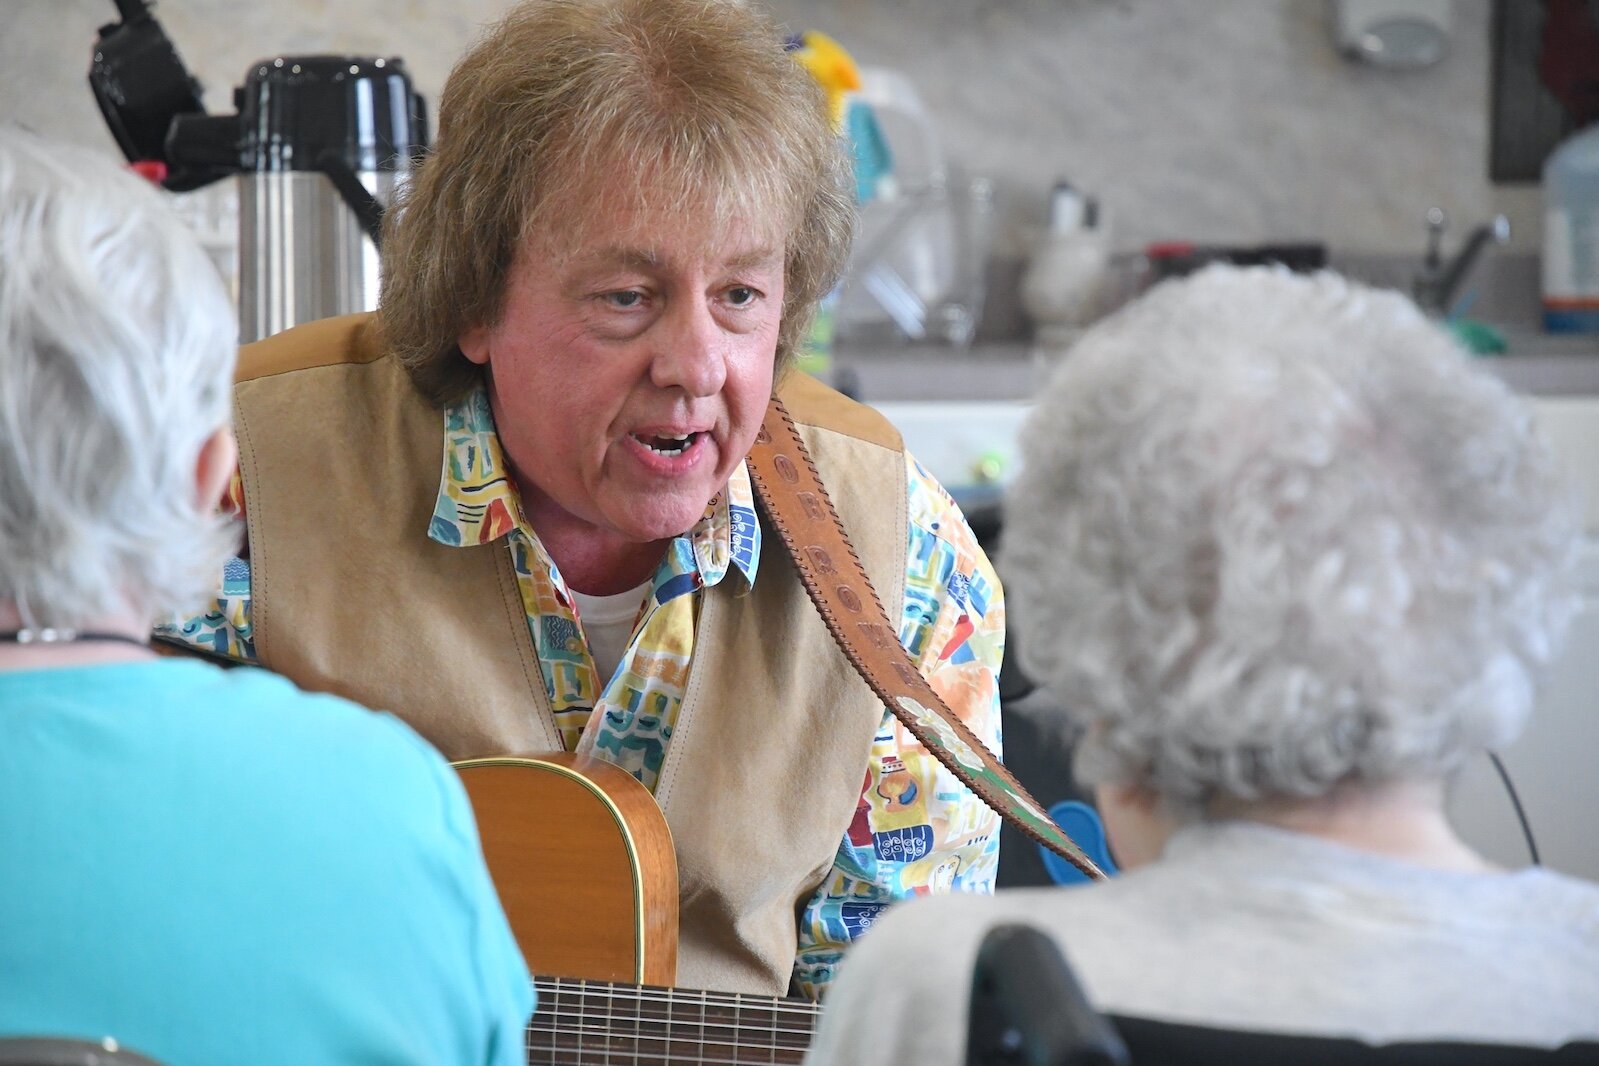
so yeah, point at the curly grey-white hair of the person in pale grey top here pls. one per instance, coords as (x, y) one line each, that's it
(1275, 533)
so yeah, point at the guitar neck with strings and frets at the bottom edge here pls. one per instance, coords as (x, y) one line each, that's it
(597, 1022)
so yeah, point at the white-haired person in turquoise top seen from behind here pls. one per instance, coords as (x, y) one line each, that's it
(207, 865)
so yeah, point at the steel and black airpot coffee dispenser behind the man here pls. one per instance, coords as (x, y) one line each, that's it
(317, 146)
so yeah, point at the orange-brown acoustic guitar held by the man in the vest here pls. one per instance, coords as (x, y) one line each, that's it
(584, 867)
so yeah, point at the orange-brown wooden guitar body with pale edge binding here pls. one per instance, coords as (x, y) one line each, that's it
(583, 862)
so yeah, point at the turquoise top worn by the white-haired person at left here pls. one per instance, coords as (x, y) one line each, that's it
(213, 867)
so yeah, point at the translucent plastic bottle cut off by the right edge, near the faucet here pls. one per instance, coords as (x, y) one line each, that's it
(1571, 234)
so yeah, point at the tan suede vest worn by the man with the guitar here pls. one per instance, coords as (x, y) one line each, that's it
(341, 463)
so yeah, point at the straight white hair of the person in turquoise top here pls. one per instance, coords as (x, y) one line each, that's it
(118, 346)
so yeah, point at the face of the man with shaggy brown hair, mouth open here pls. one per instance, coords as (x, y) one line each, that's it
(631, 370)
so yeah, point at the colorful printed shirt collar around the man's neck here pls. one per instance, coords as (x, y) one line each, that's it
(479, 504)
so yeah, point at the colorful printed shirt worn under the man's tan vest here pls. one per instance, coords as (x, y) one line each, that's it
(917, 830)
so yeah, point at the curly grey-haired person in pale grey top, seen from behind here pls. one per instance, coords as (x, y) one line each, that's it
(1288, 562)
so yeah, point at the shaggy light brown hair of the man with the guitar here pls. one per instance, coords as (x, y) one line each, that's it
(687, 105)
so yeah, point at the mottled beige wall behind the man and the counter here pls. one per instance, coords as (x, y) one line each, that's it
(1222, 121)
